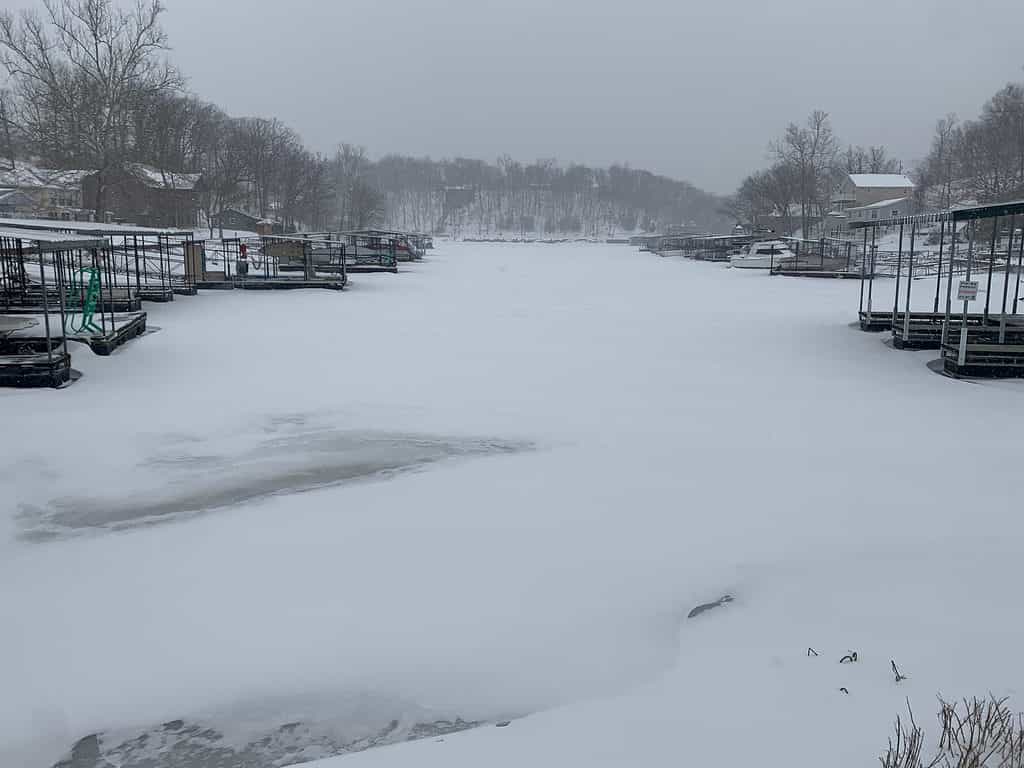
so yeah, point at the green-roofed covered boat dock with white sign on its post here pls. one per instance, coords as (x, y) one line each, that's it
(974, 321)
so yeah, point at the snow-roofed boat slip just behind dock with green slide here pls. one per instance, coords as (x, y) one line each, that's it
(151, 265)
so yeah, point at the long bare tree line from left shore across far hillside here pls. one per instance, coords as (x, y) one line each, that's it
(91, 89)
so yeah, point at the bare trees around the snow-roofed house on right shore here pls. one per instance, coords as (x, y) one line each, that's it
(974, 161)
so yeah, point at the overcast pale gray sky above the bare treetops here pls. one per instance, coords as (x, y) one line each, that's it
(693, 91)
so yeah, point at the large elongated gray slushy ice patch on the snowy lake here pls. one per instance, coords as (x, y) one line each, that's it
(187, 476)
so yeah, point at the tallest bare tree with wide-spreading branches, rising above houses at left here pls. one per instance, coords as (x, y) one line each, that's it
(79, 72)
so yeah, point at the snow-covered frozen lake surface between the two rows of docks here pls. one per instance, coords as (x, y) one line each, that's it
(568, 449)
